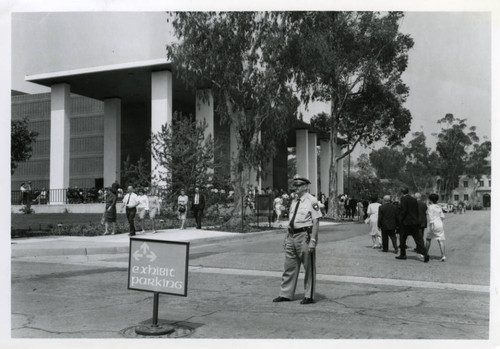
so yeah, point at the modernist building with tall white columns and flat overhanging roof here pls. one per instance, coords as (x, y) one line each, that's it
(94, 118)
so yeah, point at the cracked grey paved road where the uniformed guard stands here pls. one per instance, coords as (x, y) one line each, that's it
(362, 293)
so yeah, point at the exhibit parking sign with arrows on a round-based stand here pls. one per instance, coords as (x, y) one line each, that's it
(158, 266)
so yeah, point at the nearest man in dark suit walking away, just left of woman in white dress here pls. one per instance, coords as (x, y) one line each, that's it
(409, 223)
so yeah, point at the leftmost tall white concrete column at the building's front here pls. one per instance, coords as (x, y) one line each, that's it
(60, 103)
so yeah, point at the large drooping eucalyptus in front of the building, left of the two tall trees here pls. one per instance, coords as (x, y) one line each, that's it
(238, 56)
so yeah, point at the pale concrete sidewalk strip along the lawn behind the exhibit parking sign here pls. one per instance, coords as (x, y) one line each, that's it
(114, 244)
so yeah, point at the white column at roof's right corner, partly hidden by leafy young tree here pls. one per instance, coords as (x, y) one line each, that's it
(161, 114)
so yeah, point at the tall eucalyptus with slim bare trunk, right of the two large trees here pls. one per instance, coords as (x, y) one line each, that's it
(354, 60)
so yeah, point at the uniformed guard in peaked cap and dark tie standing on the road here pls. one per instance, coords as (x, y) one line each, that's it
(300, 243)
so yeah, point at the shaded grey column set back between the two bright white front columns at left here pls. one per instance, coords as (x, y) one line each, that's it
(112, 140)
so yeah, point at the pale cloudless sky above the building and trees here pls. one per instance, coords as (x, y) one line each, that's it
(449, 68)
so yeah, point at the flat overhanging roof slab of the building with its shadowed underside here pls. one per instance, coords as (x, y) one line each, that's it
(131, 81)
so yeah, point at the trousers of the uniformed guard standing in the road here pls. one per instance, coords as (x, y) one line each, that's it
(297, 253)
